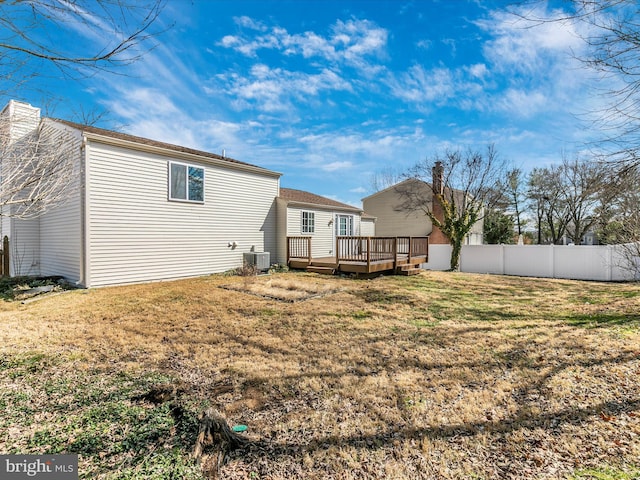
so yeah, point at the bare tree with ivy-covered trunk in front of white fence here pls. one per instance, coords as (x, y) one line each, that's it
(464, 184)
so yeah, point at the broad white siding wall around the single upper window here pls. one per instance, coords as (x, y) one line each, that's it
(135, 234)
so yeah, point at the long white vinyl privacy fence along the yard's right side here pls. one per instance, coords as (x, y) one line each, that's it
(579, 262)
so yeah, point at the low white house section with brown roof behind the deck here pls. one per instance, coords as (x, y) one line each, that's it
(302, 213)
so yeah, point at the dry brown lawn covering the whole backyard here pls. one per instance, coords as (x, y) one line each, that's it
(441, 375)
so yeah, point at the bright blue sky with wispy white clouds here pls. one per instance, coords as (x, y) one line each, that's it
(330, 93)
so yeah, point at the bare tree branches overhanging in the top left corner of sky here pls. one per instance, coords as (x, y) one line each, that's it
(109, 33)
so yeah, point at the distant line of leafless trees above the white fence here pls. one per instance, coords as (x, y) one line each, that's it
(564, 203)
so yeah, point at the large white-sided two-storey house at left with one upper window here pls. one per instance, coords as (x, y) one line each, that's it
(143, 210)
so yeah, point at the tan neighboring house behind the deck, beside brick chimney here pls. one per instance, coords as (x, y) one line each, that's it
(392, 221)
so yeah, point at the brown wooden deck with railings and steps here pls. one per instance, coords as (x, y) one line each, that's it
(361, 255)
